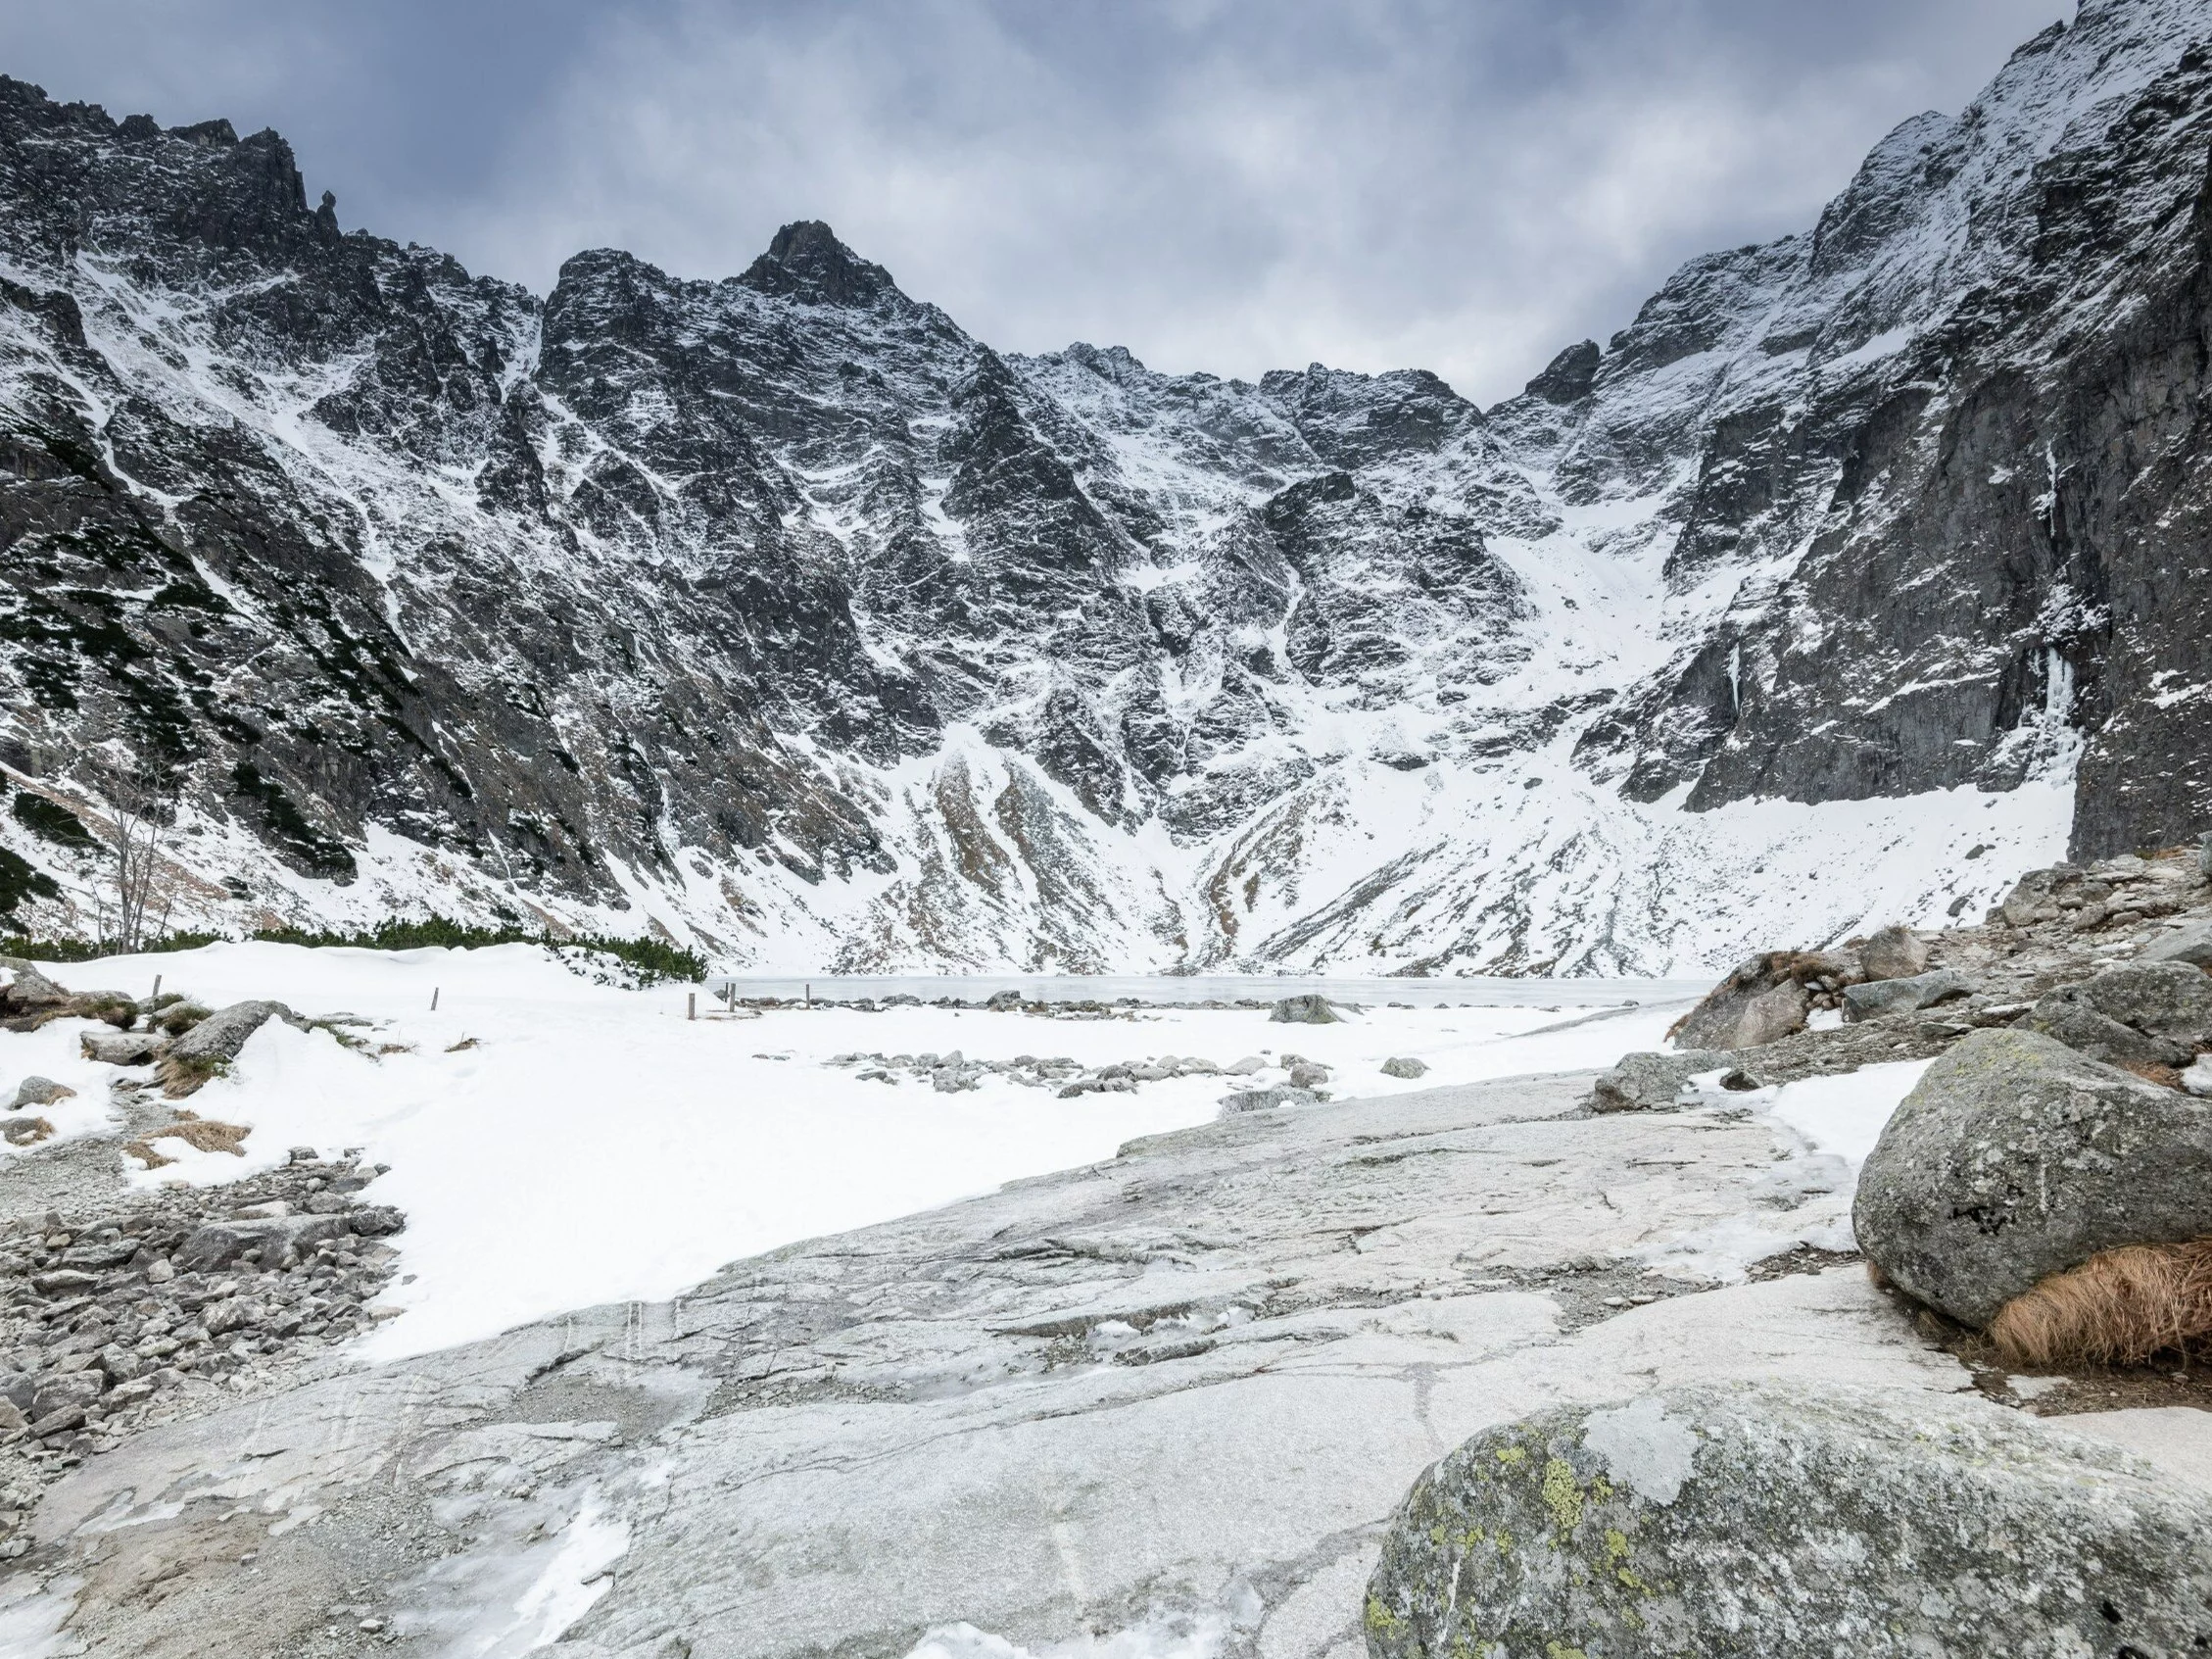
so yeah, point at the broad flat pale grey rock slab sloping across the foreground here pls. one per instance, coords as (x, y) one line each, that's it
(1187, 1384)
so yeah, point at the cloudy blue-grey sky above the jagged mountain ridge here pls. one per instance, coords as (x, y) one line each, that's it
(1218, 185)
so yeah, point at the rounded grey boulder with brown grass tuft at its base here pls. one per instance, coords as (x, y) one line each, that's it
(2018, 1158)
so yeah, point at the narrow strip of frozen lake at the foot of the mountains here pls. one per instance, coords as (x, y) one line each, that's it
(1224, 988)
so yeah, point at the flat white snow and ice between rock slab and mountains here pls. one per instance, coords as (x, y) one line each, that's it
(563, 1145)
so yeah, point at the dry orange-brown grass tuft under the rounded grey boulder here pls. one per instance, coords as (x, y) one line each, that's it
(2116, 1308)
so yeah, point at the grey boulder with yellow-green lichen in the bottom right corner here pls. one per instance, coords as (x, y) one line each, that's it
(1757, 1521)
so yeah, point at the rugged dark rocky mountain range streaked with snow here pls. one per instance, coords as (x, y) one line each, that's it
(1855, 576)
